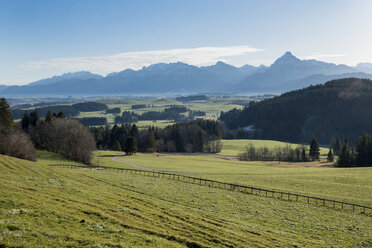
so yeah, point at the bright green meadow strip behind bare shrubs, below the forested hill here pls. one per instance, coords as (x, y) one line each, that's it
(235, 147)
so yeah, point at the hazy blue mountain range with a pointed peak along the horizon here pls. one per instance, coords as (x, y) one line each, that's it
(286, 73)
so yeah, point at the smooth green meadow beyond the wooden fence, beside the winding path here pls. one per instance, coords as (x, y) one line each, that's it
(347, 184)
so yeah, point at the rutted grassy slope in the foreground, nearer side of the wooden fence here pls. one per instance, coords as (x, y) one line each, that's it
(44, 206)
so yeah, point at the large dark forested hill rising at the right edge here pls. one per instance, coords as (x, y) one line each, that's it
(337, 108)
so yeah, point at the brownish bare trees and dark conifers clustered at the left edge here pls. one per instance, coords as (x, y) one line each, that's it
(53, 133)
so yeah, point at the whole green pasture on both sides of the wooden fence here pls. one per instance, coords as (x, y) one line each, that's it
(48, 206)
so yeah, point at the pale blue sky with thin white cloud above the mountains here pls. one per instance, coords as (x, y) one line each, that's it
(42, 38)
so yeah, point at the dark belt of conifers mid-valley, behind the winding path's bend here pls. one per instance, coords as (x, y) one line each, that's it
(195, 136)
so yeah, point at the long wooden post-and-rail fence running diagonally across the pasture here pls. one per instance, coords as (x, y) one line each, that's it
(235, 187)
